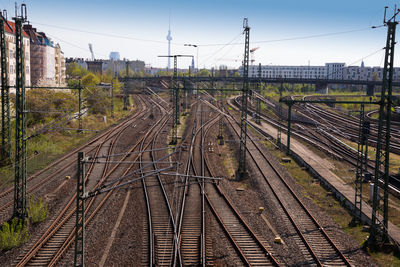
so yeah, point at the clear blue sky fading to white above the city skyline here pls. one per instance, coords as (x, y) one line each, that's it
(287, 32)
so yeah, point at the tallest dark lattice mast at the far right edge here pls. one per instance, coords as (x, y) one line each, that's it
(380, 229)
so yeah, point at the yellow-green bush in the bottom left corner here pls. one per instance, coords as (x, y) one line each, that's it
(14, 234)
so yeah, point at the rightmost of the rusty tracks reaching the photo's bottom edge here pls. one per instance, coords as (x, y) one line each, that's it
(317, 247)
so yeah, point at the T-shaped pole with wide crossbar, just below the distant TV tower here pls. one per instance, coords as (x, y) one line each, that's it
(175, 94)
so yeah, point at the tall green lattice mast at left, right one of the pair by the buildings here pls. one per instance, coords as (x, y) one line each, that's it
(20, 121)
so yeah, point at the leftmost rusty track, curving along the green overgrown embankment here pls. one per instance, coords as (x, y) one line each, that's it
(61, 165)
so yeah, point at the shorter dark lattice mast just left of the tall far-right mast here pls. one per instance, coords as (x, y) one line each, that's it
(362, 164)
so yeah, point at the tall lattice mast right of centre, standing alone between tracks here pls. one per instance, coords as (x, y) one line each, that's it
(242, 172)
